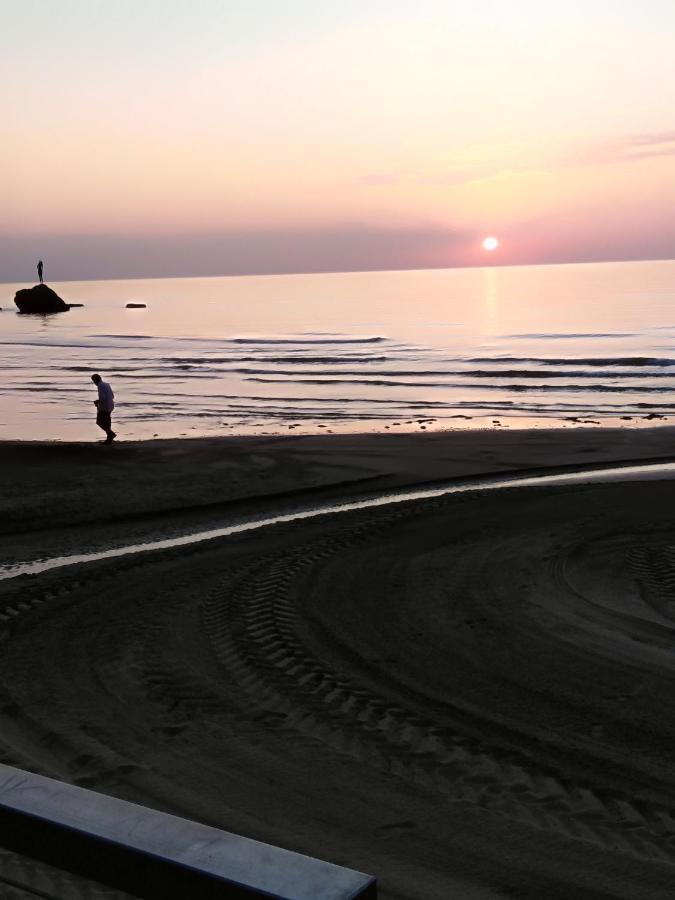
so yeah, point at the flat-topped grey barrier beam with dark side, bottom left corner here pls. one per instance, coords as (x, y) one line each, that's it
(155, 855)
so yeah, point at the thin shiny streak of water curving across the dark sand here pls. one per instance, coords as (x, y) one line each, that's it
(578, 476)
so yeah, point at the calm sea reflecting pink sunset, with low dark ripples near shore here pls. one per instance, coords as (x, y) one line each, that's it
(346, 352)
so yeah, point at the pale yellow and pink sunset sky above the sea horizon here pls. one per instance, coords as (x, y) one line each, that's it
(166, 137)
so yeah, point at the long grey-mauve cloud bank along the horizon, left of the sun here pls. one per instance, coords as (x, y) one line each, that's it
(347, 247)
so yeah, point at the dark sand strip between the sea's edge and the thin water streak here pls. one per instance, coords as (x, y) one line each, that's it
(48, 485)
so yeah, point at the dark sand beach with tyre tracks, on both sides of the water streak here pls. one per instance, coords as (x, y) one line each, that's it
(466, 697)
